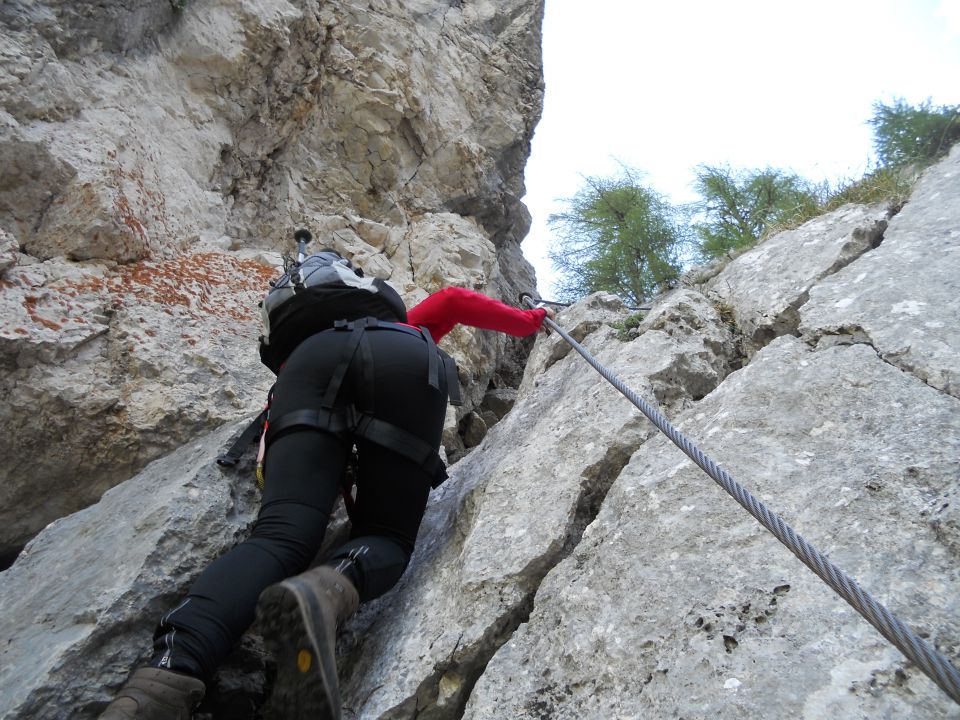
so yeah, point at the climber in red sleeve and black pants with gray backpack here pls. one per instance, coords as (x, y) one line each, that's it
(355, 368)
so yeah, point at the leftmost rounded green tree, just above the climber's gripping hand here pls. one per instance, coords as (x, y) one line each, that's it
(619, 236)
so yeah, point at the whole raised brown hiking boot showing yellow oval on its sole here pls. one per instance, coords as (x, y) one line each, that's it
(299, 619)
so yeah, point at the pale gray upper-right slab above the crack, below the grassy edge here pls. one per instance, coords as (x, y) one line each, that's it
(904, 297)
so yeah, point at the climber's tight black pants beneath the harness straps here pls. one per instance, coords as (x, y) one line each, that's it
(303, 474)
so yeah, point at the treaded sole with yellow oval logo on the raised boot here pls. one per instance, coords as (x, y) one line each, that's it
(296, 635)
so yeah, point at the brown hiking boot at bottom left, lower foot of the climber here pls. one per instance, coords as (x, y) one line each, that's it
(155, 694)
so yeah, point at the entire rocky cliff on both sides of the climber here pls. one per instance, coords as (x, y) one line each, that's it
(576, 564)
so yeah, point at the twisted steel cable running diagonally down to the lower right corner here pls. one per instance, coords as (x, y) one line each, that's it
(933, 663)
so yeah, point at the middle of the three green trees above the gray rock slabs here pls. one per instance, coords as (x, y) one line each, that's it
(737, 207)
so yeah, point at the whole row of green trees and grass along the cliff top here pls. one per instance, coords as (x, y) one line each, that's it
(622, 236)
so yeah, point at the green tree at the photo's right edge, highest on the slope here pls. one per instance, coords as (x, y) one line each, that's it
(904, 134)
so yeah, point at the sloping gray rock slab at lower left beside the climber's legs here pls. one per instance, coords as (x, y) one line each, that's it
(81, 602)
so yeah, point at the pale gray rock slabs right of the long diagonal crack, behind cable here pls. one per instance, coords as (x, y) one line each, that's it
(677, 604)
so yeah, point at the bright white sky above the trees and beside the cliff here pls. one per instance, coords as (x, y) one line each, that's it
(665, 86)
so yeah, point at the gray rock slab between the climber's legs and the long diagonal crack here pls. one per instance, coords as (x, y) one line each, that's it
(513, 508)
